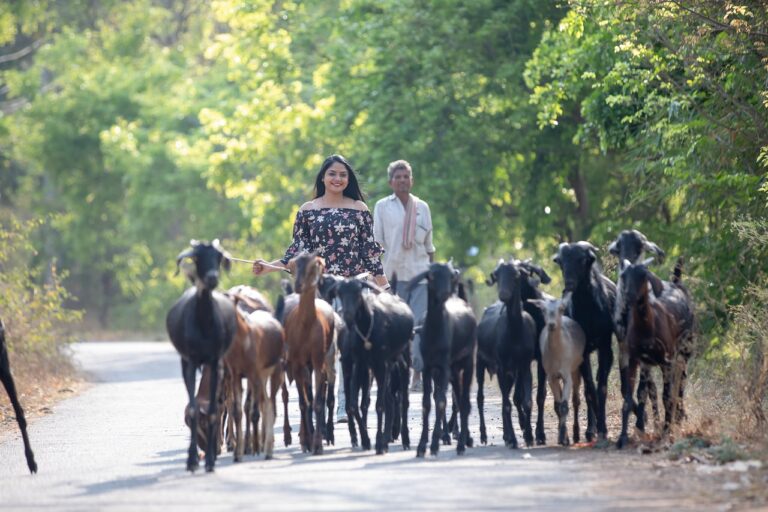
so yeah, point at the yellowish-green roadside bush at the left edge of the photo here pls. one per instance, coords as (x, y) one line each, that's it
(33, 313)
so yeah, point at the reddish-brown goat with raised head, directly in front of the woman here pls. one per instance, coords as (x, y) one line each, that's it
(309, 336)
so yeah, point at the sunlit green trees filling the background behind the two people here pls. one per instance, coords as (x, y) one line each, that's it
(138, 125)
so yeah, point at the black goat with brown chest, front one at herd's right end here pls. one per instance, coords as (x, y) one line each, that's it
(659, 332)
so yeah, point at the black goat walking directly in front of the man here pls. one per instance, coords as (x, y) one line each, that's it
(448, 343)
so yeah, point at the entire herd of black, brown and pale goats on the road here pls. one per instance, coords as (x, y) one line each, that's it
(237, 335)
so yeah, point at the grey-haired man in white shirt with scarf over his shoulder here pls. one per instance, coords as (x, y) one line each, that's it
(402, 224)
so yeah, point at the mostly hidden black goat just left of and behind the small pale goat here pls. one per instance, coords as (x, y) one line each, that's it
(529, 290)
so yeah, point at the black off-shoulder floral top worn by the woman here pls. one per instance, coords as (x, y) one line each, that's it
(343, 236)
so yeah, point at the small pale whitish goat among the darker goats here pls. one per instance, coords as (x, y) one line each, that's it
(562, 349)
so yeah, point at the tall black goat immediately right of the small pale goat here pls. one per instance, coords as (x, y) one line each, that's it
(592, 304)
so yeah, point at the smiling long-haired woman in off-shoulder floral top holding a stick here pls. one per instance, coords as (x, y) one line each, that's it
(337, 224)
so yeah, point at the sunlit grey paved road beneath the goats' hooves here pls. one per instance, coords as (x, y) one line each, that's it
(121, 445)
